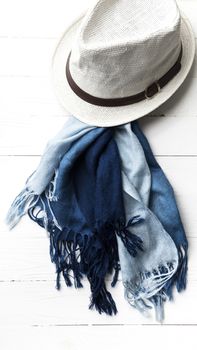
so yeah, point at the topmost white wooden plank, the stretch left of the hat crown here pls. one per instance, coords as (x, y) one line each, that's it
(44, 19)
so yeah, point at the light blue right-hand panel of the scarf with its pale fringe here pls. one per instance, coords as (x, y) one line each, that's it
(145, 275)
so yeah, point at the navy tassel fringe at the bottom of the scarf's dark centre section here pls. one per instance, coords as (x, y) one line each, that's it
(73, 252)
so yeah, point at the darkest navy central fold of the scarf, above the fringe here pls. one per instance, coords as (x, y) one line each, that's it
(101, 197)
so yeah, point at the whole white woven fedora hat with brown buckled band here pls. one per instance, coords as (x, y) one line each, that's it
(122, 59)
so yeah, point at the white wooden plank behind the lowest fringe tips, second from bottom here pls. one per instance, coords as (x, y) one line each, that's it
(39, 303)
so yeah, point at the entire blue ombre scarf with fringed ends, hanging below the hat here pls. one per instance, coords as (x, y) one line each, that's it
(107, 206)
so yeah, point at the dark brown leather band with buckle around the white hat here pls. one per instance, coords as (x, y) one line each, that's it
(148, 93)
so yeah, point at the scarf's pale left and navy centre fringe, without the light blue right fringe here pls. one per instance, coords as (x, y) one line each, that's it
(73, 254)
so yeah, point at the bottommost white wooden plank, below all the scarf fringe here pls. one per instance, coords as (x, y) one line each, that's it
(97, 337)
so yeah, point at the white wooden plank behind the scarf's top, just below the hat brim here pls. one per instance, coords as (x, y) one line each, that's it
(167, 135)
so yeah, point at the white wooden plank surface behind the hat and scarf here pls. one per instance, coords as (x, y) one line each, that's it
(33, 314)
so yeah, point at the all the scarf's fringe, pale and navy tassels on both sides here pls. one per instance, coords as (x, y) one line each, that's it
(76, 255)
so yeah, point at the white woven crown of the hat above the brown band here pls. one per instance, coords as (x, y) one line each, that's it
(122, 46)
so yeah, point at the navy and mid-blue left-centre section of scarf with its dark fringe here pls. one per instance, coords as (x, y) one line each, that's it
(88, 187)
